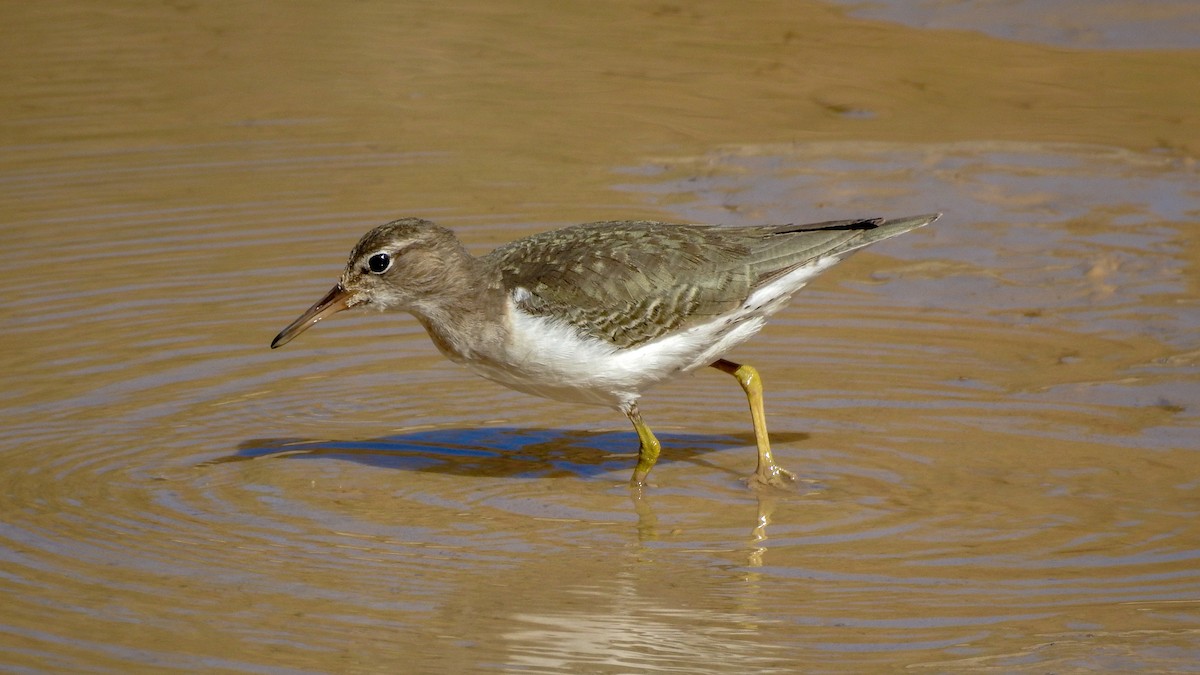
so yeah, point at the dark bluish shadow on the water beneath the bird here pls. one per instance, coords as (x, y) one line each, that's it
(500, 451)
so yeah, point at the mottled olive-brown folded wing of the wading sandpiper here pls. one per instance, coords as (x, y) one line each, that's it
(632, 282)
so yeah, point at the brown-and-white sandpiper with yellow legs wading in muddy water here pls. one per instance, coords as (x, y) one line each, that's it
(599, 313)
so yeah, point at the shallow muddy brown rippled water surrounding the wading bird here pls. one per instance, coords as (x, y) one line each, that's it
(995, 419)
